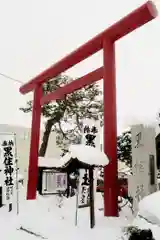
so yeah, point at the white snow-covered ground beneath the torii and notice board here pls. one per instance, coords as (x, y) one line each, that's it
(43, 219)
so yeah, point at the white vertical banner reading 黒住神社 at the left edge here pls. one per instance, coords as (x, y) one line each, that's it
(8, 166)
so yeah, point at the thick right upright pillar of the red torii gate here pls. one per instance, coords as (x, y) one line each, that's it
(110, 130)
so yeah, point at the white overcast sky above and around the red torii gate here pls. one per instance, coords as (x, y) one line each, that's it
(36, 33)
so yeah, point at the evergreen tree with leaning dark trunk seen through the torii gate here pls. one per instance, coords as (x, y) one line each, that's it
(65, 117)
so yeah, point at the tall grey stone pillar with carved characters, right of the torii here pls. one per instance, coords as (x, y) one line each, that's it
(143, 181)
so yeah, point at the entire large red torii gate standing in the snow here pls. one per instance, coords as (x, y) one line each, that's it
(106, 41)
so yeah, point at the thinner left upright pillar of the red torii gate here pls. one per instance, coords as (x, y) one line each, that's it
(34, 147)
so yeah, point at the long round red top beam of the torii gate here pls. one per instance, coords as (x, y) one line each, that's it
(132, 21)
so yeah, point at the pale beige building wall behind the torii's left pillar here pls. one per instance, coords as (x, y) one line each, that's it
(23, 146)
